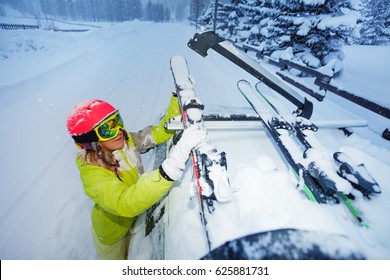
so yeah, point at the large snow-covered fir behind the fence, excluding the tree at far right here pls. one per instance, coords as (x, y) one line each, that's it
(312, 31)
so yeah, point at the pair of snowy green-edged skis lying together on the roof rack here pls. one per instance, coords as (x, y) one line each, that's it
(316, 181)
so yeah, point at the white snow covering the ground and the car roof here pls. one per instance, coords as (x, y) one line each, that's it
(44, 211)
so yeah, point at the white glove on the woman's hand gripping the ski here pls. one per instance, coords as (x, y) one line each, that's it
(174, 164)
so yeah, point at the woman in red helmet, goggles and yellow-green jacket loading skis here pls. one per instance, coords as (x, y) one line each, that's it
(112, 173)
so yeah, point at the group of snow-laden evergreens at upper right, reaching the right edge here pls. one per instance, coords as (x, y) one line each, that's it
(309, 32)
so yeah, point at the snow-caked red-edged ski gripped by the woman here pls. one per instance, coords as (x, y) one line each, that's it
(209, 165)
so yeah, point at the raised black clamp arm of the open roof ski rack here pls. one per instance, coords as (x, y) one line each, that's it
(203, 41)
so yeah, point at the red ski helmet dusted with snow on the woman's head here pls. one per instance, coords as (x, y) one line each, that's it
(85, 117)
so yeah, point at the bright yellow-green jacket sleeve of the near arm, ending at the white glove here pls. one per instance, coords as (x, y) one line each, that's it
(118, 197)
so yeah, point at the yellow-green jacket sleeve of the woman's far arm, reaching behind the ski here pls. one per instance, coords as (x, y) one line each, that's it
(151, 136)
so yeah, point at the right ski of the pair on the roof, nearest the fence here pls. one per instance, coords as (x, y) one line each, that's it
(357, 175)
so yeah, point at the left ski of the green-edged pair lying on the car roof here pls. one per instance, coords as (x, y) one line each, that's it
(317, 183)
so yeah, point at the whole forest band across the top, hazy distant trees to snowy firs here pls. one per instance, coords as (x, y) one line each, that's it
(311, 32)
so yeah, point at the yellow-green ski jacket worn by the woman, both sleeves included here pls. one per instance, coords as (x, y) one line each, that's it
(118, 201)
